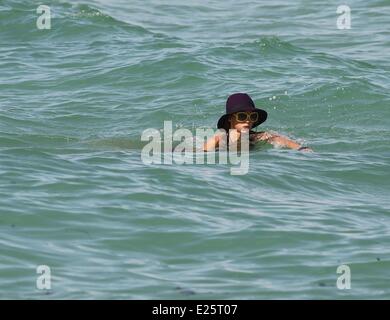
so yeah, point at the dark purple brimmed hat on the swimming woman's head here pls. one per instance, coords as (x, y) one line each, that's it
(240, 102)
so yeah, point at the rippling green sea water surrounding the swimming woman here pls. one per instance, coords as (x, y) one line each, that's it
(76, 197)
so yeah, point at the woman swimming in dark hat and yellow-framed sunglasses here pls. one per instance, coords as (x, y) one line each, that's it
(241, 116)
